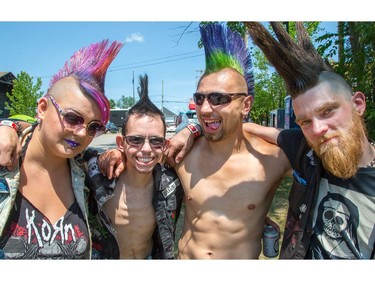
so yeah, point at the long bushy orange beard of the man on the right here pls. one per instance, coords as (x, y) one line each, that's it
(342, 159)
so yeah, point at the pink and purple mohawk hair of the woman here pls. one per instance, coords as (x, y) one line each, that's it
(89, 66)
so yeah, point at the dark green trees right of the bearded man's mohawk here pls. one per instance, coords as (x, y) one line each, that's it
(354, 46)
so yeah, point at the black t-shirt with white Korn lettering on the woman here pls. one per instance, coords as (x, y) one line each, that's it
(30, 235)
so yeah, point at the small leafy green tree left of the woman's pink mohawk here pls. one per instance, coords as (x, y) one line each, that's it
(24, 96)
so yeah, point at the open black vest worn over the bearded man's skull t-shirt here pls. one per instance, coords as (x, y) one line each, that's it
(306, 177)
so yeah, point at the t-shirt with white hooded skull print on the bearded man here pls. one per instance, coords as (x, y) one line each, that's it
(344, 222)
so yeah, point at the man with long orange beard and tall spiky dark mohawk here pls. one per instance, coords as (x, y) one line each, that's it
(332, 201)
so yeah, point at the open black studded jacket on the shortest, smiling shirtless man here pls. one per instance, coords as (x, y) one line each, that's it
(167, 202)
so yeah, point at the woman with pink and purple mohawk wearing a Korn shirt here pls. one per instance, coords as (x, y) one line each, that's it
(43, 214)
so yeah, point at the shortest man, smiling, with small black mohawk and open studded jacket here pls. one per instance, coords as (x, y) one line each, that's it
(139, 210)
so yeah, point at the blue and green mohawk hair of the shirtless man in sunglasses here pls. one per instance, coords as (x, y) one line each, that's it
(226, 48)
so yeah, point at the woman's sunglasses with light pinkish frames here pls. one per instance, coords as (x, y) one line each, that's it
(73, 122)
